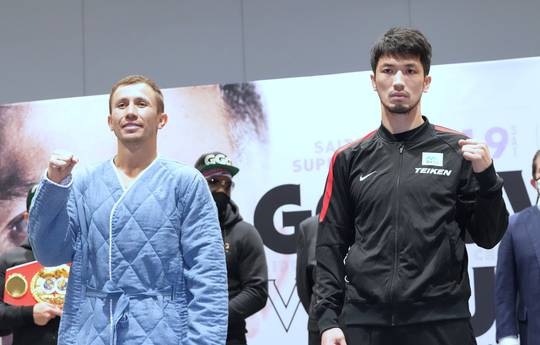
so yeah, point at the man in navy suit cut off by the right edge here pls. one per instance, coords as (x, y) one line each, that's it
(517, 286)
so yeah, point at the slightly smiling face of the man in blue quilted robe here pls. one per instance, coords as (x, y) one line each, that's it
(134, 117)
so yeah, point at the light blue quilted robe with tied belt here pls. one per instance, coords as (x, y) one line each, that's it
(148, 265)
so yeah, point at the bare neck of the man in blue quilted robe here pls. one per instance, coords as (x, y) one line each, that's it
(134, 158)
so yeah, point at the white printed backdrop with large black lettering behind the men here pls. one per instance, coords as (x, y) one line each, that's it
(281, 134)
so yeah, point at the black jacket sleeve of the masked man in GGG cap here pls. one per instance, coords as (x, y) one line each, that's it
(253, 273)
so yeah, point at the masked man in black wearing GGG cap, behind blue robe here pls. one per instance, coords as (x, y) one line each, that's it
(246, 263)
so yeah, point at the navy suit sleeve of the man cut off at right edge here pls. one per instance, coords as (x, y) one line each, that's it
(506, 288)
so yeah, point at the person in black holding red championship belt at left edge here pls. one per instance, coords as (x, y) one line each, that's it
(31, 325)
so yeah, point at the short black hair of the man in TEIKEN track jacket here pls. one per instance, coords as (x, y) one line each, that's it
(399, 41)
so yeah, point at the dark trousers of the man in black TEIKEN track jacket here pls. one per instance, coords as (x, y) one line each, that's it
(447, 332)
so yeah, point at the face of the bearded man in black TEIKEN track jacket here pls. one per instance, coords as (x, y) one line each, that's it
(400, 82)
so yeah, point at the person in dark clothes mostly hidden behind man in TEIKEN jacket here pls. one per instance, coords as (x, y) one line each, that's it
(305, 273)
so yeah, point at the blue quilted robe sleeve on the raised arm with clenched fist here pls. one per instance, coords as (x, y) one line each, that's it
(53, 225)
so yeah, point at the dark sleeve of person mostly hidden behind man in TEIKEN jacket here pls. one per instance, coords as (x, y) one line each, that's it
(302, 278)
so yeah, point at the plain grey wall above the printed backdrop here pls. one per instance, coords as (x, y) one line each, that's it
(63, 48)
